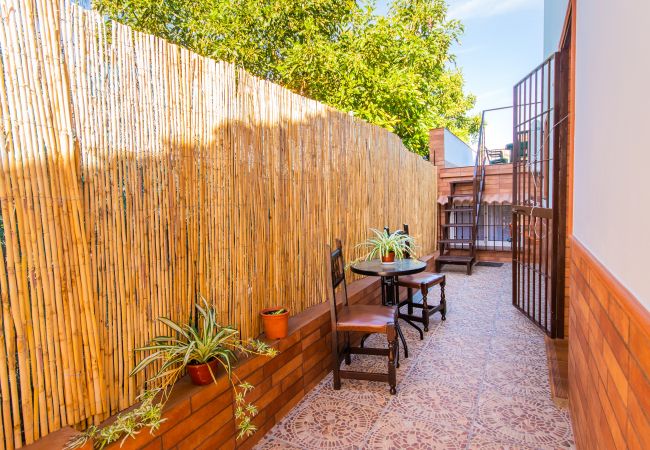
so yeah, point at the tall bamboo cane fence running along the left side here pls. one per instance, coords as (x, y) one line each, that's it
(136, 176)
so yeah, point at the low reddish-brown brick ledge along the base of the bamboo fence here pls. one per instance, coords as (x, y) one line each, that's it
(201, 417)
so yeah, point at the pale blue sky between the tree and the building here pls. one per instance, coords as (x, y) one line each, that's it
(503, 41)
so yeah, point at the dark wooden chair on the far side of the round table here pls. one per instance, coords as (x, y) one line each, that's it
(422, 281)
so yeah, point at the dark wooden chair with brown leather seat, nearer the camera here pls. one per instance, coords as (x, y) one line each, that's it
(358, 318)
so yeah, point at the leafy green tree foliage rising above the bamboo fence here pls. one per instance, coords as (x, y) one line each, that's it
(395, 71)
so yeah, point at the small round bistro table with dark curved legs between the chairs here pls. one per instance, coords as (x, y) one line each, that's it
(389, 288)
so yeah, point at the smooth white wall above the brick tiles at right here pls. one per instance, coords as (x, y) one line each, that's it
(612, 138)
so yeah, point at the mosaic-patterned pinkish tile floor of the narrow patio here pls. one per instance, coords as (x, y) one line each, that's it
(477, 381)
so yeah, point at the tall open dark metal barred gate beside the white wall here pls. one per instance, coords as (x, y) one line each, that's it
(539, 194)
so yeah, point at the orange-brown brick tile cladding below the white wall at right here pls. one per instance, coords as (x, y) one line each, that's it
(609, 359)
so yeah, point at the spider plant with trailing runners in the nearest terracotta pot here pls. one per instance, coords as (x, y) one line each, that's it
(198, 343)
